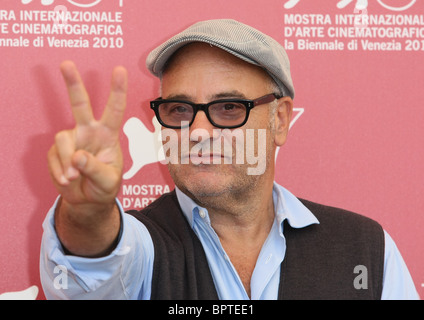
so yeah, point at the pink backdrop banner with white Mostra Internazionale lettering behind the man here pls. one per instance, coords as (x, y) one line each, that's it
(357, 134)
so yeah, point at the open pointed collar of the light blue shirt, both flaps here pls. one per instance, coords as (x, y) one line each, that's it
(286, 206)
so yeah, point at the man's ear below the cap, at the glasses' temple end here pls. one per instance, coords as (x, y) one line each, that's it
(283, 115)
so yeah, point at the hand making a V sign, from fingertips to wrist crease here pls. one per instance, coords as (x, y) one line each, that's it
(86, 162)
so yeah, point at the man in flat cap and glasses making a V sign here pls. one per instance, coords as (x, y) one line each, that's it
(226, 231)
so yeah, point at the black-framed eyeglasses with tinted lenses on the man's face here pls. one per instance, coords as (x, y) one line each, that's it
(223, 113)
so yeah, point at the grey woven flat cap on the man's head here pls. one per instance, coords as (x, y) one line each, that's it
(236, 38)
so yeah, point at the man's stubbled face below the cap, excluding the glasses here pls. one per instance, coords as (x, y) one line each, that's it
(200, 73)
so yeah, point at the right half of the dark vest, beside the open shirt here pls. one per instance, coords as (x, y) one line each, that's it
(321, 259)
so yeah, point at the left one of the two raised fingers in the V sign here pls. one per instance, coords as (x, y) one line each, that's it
(78, 96)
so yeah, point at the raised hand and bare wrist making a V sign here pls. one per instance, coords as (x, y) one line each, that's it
(86, 164)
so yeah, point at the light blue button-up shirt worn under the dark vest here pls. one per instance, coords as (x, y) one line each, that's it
(127, 272)
